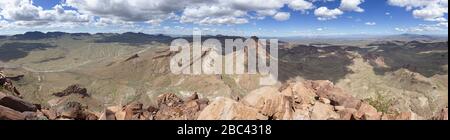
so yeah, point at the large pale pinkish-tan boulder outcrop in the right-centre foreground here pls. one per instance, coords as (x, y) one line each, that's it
(307, 100)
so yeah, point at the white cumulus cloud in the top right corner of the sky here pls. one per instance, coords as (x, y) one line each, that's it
(430, 10)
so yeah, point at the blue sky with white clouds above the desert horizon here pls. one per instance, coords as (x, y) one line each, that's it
(228, 17)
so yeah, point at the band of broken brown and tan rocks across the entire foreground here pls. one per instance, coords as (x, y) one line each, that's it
(307, 100)
